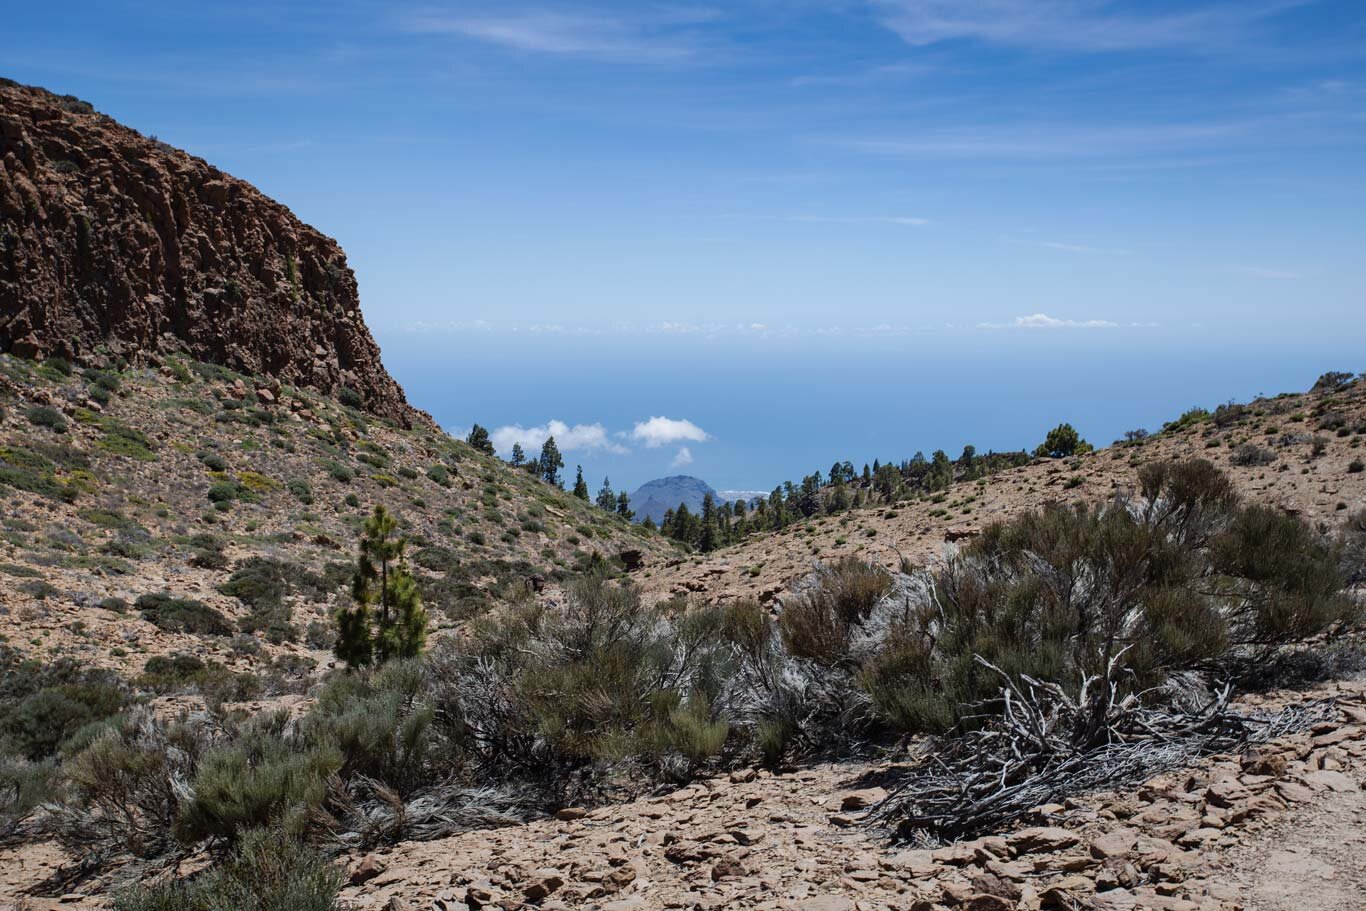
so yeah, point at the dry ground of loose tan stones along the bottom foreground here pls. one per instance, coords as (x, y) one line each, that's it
(1279, 828)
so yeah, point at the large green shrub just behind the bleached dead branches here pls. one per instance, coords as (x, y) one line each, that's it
(1184, 578)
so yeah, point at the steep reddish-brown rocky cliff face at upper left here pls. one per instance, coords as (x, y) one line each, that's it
(114, 244)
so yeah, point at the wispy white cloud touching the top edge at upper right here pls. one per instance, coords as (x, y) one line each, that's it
(1078, 25)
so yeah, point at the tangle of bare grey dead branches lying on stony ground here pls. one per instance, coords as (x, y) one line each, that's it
(1042, 745)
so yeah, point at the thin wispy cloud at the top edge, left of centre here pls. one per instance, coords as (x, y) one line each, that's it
(660, 38)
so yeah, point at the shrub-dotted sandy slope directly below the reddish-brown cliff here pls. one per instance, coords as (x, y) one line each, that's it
(185, 475)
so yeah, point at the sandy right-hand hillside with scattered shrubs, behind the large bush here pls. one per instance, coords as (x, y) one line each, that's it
(1304, 453)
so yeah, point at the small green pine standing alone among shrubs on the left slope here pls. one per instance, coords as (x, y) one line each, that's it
(387, 619)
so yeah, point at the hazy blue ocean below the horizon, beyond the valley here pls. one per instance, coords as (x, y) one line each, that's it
(779, 409)
